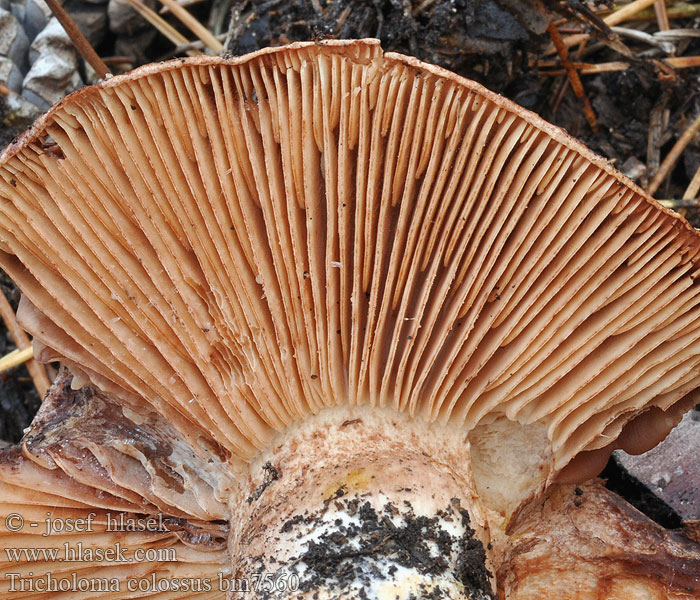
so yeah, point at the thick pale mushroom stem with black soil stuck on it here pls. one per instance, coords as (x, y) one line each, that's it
(361, 503)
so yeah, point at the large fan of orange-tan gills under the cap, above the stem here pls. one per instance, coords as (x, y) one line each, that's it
(237, 243)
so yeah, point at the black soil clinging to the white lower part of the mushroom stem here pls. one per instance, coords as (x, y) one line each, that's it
(351, 554)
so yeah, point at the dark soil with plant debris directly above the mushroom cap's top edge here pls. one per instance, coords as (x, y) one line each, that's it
(481, 39)
